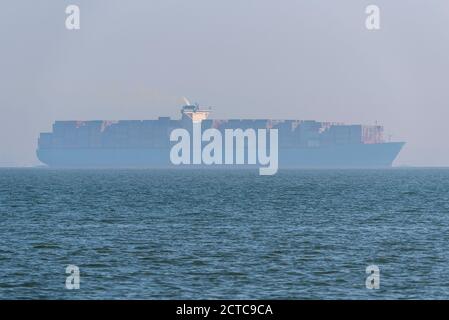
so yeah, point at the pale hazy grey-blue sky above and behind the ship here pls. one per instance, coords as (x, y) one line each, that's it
(309, 59)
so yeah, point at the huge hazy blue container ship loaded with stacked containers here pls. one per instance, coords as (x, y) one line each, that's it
(146, 143)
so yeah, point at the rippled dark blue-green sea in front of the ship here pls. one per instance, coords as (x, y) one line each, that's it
(181, 234)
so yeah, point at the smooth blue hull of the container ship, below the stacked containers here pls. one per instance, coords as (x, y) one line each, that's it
(379, 155)
